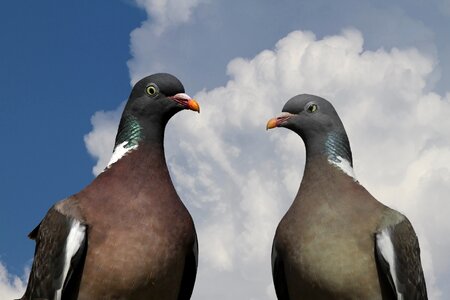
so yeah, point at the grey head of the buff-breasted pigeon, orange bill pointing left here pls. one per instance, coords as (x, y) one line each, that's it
(317, 123)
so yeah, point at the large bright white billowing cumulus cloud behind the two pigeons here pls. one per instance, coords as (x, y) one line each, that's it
(238, 180)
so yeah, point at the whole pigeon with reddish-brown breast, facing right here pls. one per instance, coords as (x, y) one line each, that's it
(127, 235)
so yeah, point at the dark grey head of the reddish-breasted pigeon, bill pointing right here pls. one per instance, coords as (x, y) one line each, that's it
(152, 102)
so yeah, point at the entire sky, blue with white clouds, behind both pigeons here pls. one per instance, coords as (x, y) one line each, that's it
(66, 69)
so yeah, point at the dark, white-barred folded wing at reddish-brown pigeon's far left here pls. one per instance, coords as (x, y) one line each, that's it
(60, 247)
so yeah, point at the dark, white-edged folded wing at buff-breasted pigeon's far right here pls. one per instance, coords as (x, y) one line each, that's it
(398, 258)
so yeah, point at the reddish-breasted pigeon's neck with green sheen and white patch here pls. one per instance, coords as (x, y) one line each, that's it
(132, 134)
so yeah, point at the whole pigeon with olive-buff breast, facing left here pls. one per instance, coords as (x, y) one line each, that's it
(336, 241)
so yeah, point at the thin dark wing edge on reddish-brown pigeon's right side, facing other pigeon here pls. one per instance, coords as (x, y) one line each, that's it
(189, 273)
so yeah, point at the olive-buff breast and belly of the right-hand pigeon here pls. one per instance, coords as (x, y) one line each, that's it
(329, 252)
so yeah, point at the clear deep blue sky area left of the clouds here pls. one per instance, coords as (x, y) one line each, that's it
(50, 89)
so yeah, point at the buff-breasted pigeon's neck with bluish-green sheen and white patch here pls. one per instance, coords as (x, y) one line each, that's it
(335, 147)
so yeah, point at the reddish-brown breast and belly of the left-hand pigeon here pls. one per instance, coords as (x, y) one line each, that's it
(159, 236)
